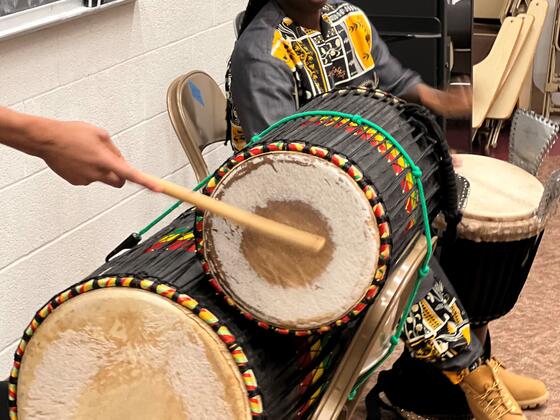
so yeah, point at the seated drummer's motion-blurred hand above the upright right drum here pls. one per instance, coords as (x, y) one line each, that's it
(456, 102)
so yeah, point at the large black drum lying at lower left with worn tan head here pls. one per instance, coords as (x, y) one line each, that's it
(145, 337)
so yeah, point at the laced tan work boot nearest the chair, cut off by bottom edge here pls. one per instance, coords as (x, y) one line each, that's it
(488, 397)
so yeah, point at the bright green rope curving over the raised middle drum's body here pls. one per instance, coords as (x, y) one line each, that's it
(424, 270)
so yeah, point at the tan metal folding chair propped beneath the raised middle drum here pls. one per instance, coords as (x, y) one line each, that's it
(371, 341)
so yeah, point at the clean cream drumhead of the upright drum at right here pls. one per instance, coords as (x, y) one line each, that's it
(499, 191)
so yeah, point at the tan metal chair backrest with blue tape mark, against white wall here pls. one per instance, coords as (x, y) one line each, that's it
(197, 109)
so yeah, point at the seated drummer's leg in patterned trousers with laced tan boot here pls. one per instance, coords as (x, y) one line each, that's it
(437, 331)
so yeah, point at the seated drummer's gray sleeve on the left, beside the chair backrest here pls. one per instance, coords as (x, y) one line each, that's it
(262, 90)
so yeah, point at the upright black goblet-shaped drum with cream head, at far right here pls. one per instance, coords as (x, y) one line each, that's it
(499, 236)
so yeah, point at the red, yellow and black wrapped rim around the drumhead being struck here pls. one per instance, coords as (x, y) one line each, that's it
(379, 211)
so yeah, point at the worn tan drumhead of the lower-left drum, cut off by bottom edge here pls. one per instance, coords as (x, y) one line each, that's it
(120, 353)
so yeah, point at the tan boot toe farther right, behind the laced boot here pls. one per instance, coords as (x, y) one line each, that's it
(528, 392)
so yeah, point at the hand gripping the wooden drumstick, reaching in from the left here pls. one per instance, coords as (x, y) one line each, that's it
(82, 153)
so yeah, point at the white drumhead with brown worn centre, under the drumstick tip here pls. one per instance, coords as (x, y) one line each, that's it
(284, 285)
